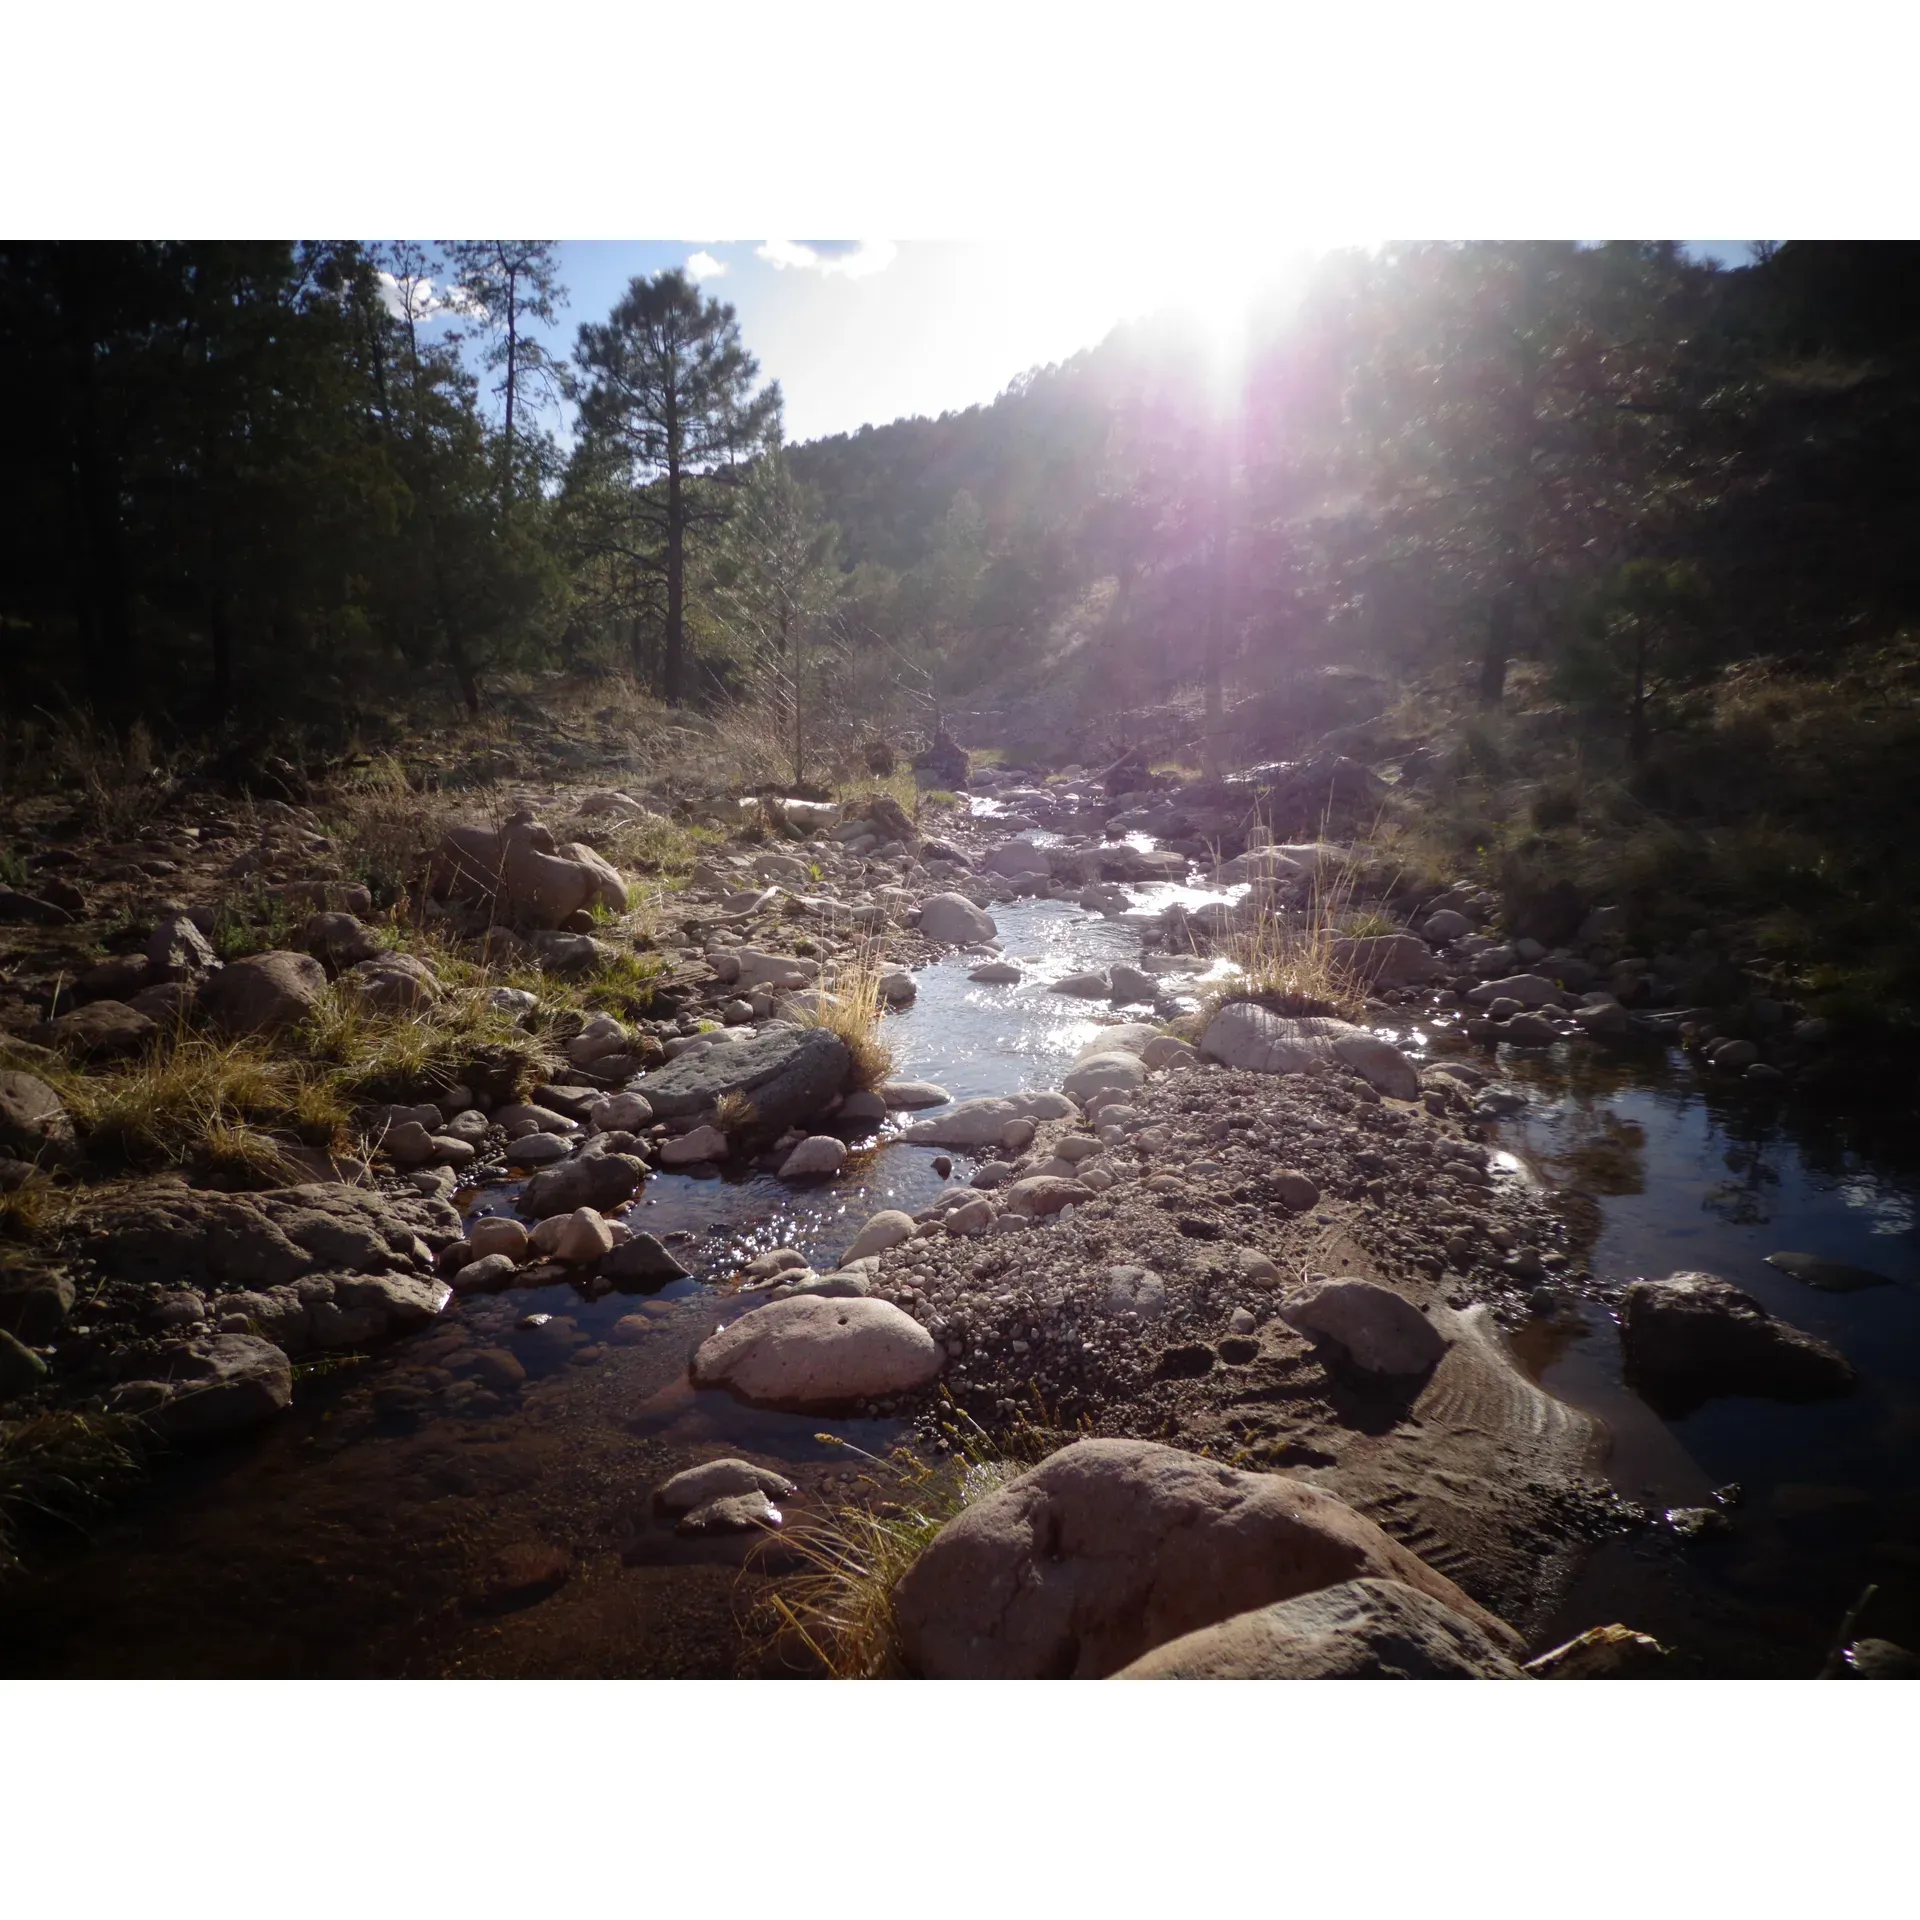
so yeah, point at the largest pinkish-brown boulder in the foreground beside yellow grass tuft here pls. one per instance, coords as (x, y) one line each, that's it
(1111, 1548)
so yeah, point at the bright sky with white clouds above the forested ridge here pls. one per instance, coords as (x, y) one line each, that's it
(878, 329)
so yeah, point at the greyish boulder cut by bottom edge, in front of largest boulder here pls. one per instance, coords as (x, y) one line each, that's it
(1355, 1631)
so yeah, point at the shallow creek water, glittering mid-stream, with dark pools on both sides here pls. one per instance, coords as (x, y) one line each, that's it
(391, 1525)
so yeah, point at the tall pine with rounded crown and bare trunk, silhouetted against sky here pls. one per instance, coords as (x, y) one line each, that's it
(667, 391)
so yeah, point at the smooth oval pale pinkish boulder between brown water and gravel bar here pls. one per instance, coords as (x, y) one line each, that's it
(815, 1353)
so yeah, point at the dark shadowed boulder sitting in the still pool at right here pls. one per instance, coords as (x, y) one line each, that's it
(1694, 1337)
